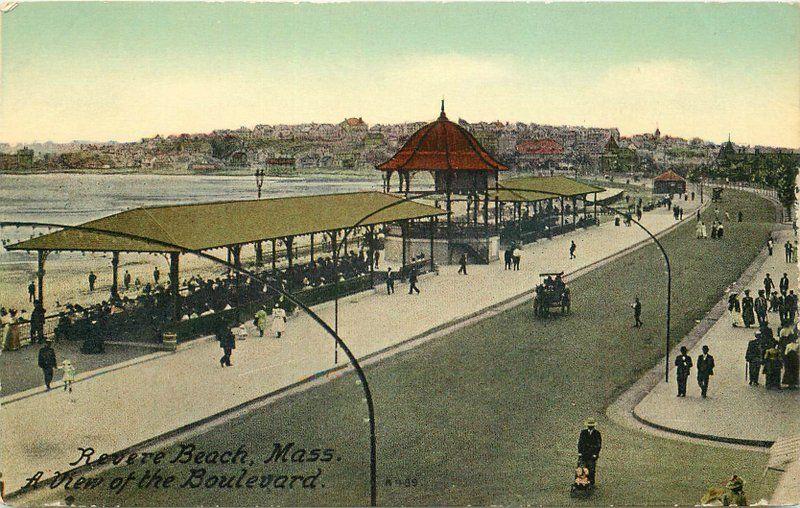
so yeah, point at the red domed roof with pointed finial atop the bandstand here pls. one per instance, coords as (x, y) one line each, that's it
(442, 146)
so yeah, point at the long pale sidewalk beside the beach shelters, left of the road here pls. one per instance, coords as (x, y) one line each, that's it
(127, 406)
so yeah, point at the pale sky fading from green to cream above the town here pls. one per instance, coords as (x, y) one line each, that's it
(122, 71)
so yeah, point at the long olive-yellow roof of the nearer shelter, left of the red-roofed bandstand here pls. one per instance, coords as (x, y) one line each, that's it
(220, 224)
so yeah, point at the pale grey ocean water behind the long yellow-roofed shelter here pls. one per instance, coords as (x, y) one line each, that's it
(75, 198)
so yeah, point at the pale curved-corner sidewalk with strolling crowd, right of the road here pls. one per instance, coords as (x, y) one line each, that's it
(733, 411)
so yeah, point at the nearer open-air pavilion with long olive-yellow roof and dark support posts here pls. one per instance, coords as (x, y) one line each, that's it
(180, 229)
